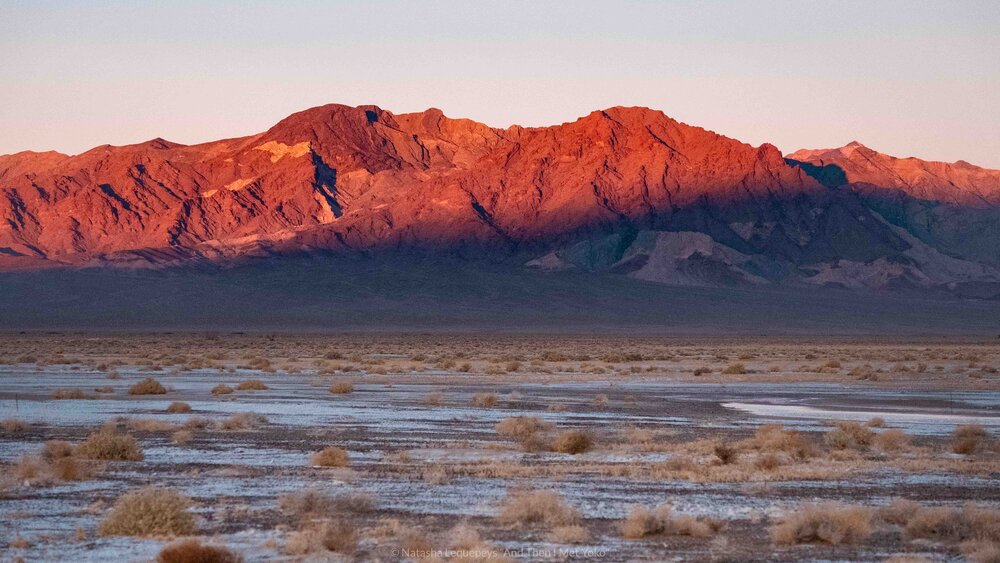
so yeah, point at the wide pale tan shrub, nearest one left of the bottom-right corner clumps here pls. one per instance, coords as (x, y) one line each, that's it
(830, 523)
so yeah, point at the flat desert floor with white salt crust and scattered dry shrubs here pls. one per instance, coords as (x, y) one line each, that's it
(228, 447)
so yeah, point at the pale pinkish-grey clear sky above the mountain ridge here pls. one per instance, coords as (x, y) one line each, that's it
(909, 78)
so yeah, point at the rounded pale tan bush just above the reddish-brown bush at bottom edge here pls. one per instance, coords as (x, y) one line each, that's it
(149, 512)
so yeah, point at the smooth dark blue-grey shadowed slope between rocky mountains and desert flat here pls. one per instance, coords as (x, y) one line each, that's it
(406, 293)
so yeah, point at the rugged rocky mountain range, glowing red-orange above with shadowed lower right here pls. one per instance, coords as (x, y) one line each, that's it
(625, 190)
